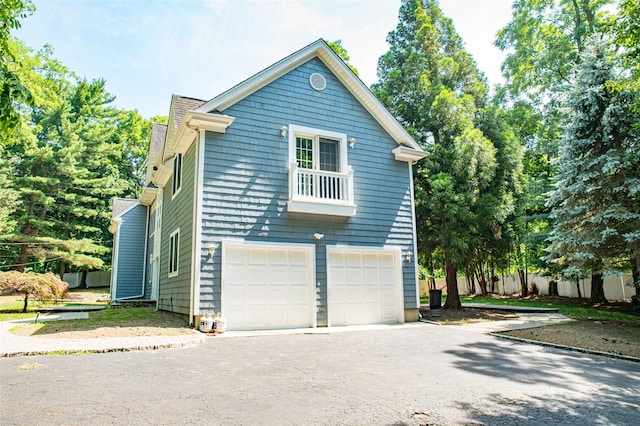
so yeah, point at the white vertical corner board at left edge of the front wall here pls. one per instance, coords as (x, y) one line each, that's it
(198, 193)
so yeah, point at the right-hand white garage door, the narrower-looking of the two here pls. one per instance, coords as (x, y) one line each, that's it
(364, 286)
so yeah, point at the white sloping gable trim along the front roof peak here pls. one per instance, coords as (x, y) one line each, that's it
(321, 50)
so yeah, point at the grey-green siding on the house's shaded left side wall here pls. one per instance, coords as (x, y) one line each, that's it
(177, 213)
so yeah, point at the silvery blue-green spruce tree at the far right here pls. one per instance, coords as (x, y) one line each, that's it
(595, 203)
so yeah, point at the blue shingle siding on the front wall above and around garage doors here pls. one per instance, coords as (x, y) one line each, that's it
(246, 180)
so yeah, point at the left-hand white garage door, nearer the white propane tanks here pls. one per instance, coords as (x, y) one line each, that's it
(268, 286)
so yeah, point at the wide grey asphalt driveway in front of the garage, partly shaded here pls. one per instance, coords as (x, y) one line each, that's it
(415, 375)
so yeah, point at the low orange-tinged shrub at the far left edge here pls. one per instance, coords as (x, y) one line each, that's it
(42, 287)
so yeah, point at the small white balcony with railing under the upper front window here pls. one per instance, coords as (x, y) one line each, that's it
(321, 192)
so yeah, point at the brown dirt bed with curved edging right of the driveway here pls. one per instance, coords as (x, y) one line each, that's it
(613, 336)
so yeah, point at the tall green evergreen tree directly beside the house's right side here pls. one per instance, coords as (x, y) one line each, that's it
(432, 85)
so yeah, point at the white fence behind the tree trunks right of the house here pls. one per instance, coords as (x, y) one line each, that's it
(616, 287)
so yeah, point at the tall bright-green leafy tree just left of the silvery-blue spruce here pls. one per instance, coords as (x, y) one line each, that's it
(543, 42)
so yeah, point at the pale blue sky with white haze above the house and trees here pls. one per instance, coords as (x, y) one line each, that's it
(148, 50)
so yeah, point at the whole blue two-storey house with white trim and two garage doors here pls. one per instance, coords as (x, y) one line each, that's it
(284, 202)
